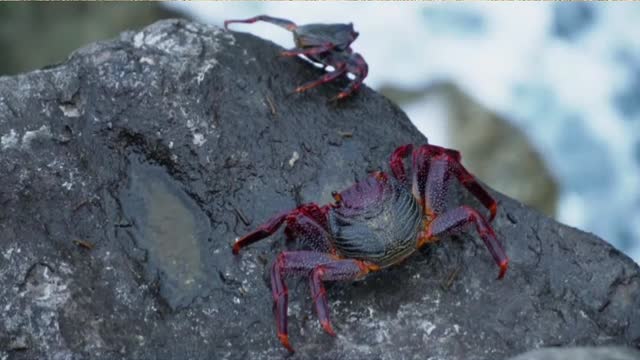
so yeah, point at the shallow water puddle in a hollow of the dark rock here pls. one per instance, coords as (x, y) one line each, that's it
(173, 231)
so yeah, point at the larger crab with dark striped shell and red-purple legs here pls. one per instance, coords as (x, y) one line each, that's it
(373, 224)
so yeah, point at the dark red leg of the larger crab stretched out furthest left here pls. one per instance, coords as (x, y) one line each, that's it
(312, 212)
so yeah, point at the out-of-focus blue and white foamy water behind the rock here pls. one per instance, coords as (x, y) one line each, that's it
(568, 74)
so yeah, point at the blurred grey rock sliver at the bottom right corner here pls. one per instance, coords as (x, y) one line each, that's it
(581, 353)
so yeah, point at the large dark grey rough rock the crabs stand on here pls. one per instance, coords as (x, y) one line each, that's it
(127, 172)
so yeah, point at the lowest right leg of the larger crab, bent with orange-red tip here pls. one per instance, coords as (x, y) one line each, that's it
(464, 215)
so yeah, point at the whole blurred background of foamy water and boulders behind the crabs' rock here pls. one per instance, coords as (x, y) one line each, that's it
(543, 99)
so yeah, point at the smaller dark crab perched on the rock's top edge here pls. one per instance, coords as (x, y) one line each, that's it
(326, 44)
